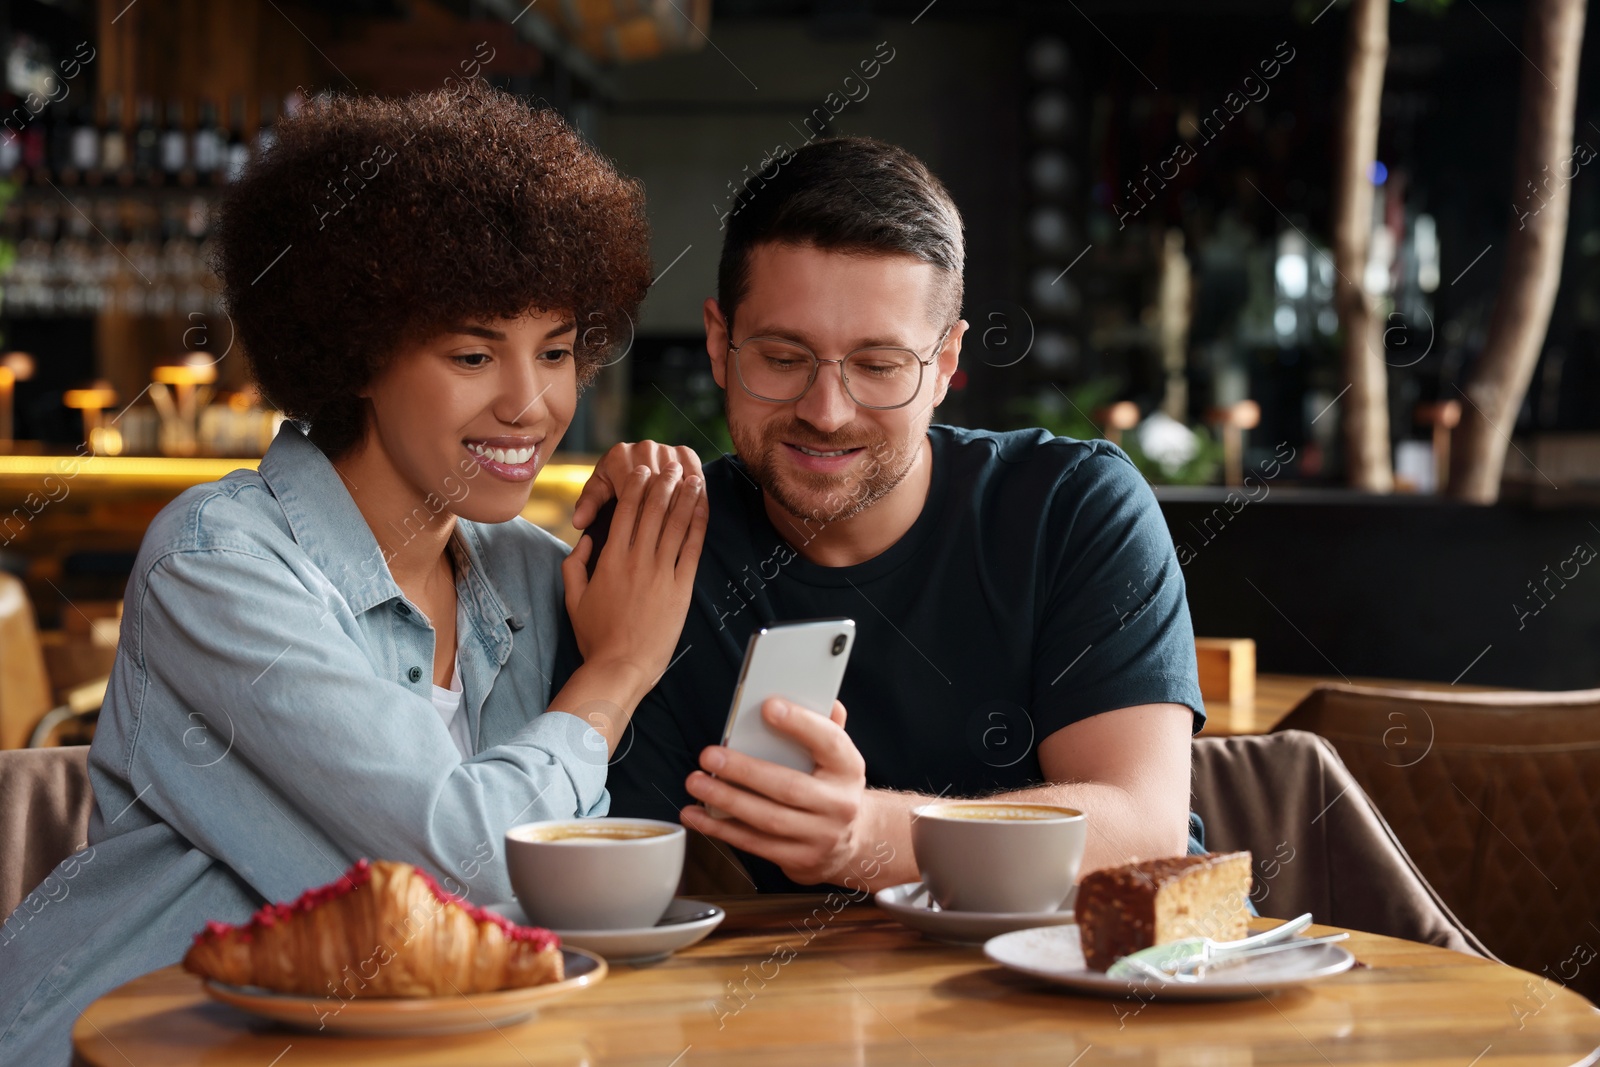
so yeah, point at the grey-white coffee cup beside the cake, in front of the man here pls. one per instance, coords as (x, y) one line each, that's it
(998, 857)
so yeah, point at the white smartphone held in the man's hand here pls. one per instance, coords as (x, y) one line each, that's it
(802, 663)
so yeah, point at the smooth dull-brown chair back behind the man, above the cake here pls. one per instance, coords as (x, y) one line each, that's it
(1316, 839)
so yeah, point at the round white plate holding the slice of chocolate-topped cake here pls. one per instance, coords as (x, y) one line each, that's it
(1057, 956)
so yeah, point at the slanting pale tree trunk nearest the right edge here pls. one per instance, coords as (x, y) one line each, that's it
(1543, 170)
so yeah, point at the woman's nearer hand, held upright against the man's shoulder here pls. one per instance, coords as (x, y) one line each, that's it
(628, 618)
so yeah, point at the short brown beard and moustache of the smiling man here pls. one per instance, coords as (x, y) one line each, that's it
(822, 497)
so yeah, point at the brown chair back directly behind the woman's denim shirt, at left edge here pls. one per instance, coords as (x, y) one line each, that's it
(46, 804)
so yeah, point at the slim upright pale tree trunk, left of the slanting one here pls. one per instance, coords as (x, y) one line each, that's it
(1367, 402)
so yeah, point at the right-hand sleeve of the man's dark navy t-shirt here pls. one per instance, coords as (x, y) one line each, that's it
(1114, 629)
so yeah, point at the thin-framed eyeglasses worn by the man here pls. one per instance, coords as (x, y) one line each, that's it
(782, 372)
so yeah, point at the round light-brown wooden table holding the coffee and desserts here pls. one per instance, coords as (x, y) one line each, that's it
(866, 991)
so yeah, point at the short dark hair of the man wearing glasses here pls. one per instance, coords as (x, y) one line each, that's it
(852, 196)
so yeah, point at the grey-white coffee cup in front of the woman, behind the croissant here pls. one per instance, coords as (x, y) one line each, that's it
(596, 874)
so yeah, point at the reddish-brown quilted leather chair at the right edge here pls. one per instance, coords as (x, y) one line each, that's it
(1497, 797)
